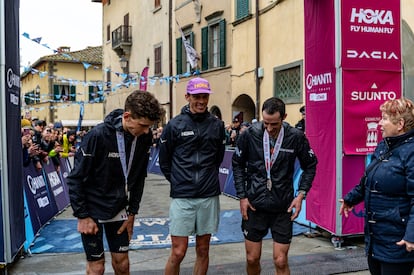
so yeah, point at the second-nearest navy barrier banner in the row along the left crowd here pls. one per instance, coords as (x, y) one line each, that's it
(61, 198)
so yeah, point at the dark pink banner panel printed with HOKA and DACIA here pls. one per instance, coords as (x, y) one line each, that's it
(371, 35)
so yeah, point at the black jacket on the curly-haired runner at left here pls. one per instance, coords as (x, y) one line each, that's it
(97, 182)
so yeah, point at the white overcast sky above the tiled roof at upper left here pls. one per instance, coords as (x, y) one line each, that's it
(75, 23)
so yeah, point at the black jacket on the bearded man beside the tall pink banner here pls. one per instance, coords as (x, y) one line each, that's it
(250, 173)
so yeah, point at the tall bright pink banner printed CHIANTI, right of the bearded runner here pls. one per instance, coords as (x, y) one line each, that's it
(321, 109)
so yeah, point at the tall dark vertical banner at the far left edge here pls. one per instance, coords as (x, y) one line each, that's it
(12, 206)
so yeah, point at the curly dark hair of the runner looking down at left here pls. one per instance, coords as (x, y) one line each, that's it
(142, 104)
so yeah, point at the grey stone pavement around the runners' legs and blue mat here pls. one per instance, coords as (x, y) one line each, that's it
(223, 257)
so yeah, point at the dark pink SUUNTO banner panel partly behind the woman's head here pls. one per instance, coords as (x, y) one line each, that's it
(363, 93)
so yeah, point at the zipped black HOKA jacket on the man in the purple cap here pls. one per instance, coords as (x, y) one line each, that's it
(191, 150)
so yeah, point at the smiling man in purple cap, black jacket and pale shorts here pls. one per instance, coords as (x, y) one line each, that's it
(192, 148)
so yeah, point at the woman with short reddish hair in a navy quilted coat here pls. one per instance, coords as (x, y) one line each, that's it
(388, 193)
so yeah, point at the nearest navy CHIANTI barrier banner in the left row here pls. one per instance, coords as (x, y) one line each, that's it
(39, 200)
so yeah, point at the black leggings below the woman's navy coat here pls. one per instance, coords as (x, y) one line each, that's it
(381, 268)
